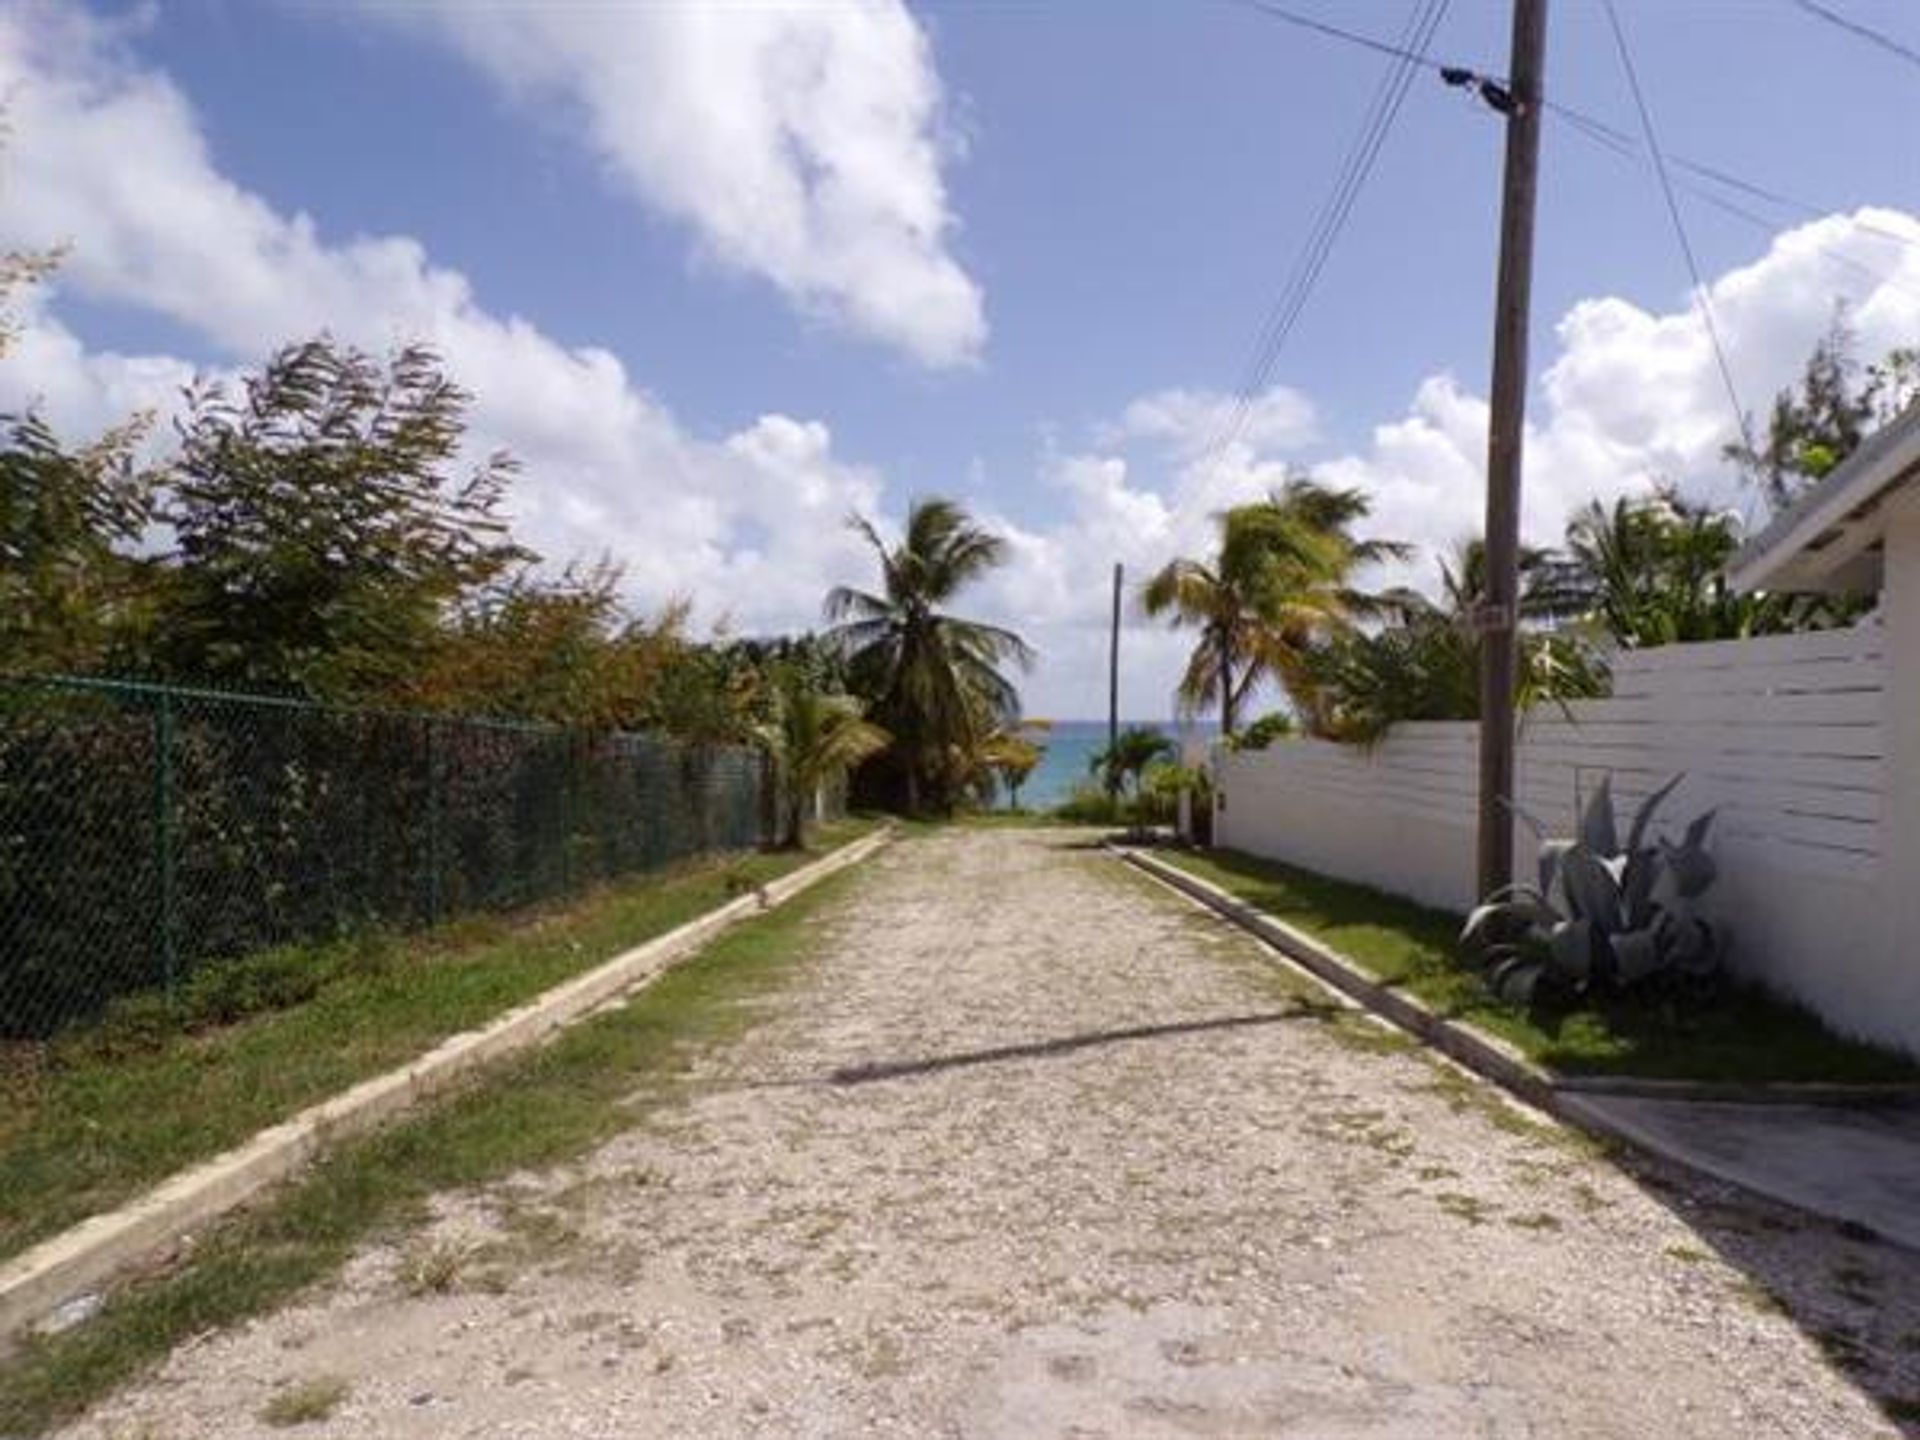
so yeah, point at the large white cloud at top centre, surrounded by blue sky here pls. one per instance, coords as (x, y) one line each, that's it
(802, 143)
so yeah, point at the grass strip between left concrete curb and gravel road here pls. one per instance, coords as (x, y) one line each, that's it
(529, 1113)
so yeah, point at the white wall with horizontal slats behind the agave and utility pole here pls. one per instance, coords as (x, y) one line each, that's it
(1787, 738)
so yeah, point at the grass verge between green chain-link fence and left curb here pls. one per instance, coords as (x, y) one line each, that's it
(114, 1111)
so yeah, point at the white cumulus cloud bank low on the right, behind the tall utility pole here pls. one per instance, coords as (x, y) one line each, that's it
(1631, 398)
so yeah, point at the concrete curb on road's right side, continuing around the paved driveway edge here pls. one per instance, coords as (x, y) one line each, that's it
(1579, 1105)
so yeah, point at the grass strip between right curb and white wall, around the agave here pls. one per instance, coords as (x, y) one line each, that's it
(1744, 1038)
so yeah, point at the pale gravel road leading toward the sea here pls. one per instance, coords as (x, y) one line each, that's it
(1030, 1147)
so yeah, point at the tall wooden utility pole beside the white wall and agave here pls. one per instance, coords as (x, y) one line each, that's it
(1499, 619)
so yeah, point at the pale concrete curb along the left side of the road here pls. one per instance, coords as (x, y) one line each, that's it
(82, 1259)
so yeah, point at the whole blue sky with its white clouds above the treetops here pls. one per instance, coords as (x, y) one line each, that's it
(721, 276)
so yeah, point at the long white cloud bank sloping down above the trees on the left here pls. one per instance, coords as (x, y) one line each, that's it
(110, 158)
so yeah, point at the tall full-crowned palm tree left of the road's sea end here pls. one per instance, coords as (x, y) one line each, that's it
(934, 679)
